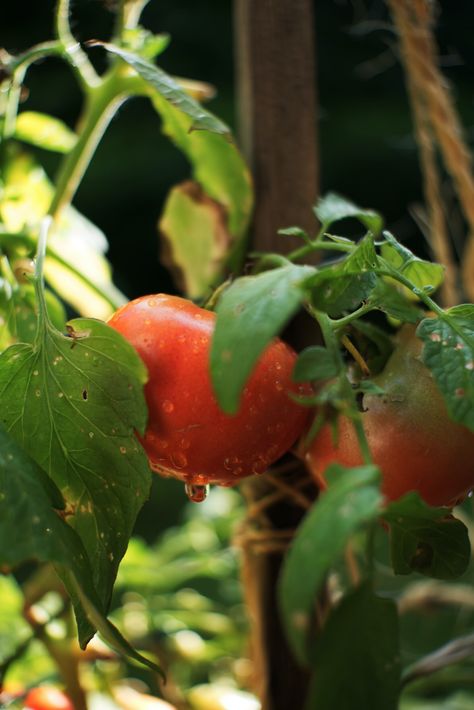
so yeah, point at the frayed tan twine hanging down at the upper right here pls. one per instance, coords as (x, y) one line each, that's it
(436, 122)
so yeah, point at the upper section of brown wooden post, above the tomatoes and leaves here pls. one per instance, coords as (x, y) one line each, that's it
(277, 113)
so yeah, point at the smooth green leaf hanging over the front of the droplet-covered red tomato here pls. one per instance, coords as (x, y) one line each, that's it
(249, 314)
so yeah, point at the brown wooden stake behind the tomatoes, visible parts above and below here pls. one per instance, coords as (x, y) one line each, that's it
(276, 95)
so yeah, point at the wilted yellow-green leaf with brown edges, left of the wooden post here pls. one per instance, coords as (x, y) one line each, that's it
(194, 228)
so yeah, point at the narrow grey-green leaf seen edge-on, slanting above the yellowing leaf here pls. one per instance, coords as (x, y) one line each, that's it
(169, 89)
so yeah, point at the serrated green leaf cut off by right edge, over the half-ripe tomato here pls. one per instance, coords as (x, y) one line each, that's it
(449, 353)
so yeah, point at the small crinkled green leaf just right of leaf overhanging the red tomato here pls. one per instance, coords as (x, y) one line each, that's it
(345, 285)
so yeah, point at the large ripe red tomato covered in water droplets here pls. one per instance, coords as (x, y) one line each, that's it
(188, 436)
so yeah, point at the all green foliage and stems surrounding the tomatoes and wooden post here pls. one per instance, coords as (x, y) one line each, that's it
(73, 475)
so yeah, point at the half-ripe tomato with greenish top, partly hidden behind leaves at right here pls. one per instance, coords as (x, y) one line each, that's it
(410, 435)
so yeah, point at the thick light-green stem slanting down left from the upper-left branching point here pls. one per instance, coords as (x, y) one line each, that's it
(102, 103)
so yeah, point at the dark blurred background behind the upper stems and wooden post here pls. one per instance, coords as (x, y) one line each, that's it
(367, 149)
